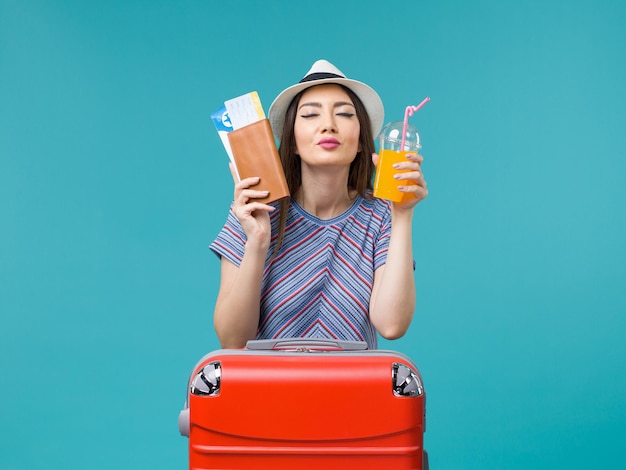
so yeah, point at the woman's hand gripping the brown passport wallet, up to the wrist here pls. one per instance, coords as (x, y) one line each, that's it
(253, 216)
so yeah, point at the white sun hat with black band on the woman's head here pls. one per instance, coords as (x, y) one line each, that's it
(323, 72)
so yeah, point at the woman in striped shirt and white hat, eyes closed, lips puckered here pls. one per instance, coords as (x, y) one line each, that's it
(331, 261)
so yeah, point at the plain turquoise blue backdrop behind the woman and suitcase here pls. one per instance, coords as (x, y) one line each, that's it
(113, 182)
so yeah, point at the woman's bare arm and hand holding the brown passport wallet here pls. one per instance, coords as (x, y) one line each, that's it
(236, 315)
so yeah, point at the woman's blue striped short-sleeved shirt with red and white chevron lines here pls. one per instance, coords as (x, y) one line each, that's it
(319, 284)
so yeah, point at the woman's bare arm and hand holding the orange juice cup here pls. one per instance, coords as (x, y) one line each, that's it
(393, 294)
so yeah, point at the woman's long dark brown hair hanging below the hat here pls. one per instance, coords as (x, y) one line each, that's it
(361, 169)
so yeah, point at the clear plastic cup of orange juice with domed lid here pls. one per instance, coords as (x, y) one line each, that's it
(390, 151)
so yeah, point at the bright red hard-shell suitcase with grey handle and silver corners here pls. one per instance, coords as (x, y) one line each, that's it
(305, 404)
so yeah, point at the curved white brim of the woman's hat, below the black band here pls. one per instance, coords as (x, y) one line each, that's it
(370, 99)
